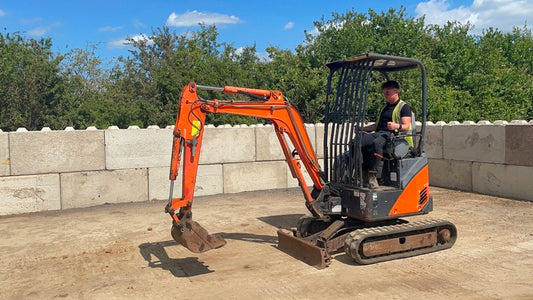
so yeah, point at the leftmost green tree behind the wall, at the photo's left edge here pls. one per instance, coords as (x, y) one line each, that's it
(30, 81)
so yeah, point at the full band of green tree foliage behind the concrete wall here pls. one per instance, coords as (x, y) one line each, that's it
(470, 77)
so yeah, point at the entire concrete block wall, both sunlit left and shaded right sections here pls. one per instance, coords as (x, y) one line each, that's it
(52, 170)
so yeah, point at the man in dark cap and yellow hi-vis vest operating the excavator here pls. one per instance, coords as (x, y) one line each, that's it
(394, 117)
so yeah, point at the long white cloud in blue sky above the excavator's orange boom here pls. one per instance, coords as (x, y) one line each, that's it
(193, 18)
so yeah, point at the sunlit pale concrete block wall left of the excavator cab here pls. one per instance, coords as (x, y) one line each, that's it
(52, 170)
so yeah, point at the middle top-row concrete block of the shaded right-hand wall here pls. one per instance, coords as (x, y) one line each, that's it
(482, 143)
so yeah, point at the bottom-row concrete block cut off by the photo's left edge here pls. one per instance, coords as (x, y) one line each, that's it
(33, 193)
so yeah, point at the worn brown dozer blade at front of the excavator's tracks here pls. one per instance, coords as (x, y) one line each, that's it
(303, 250)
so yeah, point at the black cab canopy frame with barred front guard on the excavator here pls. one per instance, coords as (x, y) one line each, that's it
(346, 111)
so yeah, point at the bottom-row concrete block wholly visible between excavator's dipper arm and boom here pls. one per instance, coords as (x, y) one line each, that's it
(243, 177)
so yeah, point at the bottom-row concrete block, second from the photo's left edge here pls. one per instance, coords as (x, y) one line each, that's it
(86, 189)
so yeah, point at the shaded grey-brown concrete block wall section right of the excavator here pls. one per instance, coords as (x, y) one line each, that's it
(486, 158)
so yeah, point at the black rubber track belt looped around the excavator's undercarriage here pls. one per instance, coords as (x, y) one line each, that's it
(353, 241)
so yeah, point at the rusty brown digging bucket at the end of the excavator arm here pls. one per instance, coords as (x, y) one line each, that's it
(194, 237)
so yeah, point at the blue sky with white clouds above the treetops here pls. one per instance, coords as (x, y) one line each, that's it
(74, 24)
